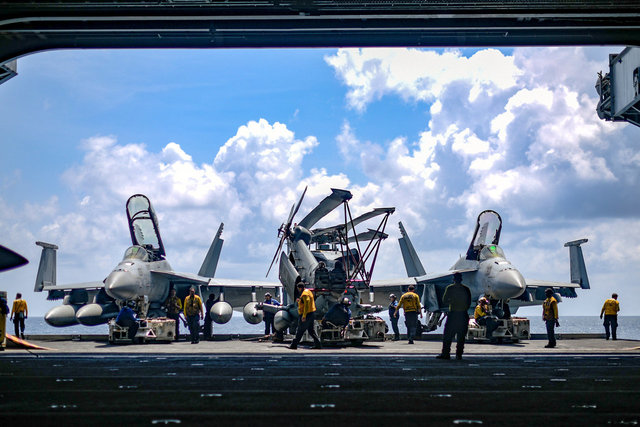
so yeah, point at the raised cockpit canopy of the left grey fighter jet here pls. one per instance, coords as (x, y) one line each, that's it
(143, 226)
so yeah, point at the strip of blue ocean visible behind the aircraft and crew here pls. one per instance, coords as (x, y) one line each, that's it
(628, 326)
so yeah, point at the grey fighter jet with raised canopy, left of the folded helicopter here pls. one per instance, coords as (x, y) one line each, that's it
(145, 274)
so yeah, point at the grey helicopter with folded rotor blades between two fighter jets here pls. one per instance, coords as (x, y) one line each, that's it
(333, 262)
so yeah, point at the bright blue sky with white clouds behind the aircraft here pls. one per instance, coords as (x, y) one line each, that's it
(235, 136)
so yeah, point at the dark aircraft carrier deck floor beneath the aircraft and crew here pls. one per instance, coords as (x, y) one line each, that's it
(242, 381)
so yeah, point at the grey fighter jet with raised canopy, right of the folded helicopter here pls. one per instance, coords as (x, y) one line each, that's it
(485, 270)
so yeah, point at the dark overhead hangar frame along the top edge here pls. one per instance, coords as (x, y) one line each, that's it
(30, 26)
